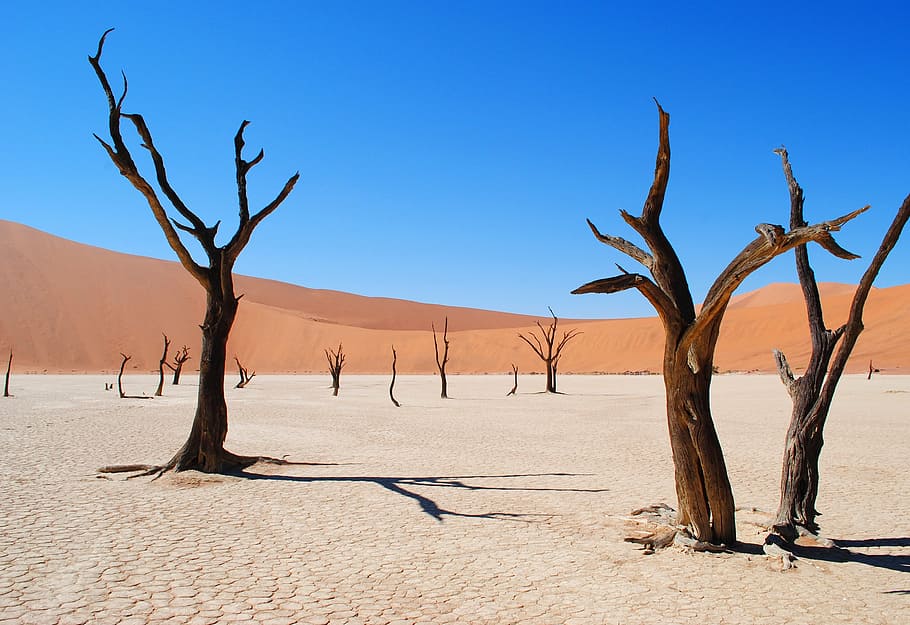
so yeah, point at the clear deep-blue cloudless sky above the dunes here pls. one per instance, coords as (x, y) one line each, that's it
(450, 151)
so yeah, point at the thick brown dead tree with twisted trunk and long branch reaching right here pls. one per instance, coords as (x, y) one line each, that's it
(706, 504)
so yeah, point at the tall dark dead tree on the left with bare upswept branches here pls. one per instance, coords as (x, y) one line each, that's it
(204, 448)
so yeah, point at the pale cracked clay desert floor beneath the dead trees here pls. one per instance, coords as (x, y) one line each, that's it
(479, 509)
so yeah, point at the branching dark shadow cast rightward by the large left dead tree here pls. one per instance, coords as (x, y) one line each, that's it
(404, 486)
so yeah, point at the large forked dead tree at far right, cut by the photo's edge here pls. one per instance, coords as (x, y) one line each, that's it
(813, 392)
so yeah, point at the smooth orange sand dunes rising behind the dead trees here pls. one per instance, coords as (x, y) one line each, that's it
(72, 307)
